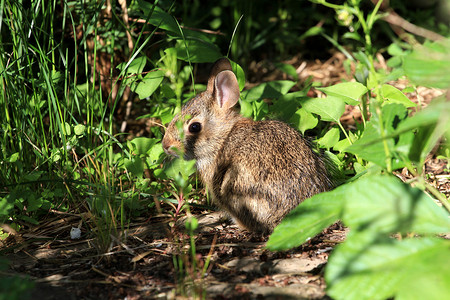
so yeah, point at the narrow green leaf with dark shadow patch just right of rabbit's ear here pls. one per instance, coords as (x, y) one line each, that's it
(272, 89)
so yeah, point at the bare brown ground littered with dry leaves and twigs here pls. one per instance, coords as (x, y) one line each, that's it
(153, 261)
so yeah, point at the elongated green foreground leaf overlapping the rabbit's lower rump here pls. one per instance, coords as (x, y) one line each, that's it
(307, 220)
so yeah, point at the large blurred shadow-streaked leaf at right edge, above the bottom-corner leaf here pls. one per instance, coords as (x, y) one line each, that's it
(385, 204)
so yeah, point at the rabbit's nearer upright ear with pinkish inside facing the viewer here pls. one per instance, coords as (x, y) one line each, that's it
(226, 89)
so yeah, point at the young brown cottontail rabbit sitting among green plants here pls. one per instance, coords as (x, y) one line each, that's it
(255, 171)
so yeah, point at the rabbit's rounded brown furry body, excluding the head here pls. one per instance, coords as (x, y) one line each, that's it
(264, 170)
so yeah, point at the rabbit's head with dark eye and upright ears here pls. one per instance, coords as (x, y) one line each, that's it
(199, 129)
